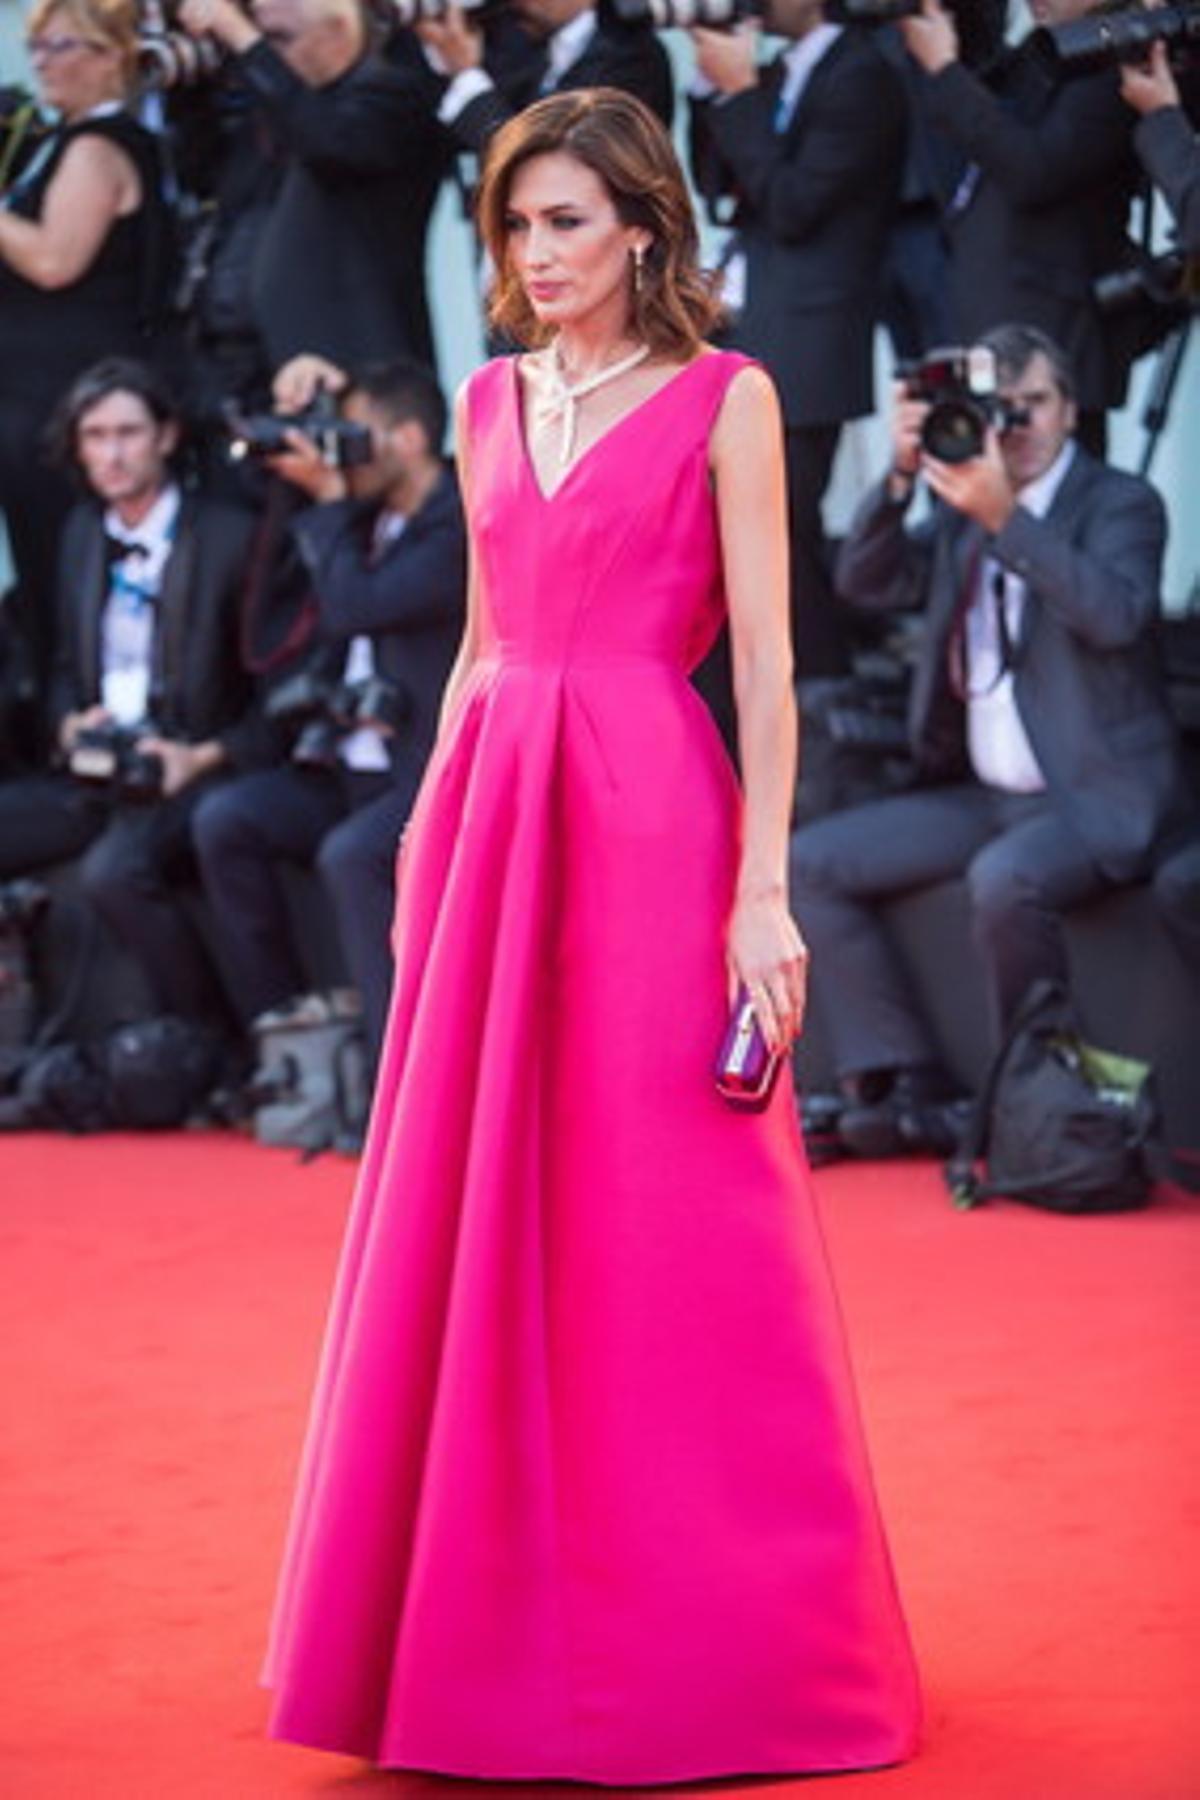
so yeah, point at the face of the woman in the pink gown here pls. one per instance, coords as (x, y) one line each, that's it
(566, 244)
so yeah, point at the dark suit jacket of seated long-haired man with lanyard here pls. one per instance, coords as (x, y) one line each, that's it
(201, 687)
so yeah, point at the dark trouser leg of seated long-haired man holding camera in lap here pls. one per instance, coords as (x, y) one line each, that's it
(134, 876)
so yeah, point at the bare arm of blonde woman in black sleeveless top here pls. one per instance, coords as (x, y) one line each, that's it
(93, 186)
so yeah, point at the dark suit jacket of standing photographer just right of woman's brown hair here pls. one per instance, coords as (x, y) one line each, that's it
(812, 208)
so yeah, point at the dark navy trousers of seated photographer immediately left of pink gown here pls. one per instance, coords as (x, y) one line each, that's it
(350, 827)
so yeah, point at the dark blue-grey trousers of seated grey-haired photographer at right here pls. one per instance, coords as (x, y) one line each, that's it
(1023, 865)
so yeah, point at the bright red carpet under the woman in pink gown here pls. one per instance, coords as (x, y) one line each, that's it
(1030, 1392)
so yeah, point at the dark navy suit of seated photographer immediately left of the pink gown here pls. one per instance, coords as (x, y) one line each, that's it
(409, 602)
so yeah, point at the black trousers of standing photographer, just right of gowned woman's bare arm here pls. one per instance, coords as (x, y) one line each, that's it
(818, 634)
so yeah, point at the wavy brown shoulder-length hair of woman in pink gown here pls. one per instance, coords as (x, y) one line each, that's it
(674, 307)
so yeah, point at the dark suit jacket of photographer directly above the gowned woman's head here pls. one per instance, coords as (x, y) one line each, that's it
(618, 57)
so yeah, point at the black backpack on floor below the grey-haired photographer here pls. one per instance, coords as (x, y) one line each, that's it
(1059, 1122)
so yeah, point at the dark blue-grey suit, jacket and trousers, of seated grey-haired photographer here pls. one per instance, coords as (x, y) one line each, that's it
(1089, 692)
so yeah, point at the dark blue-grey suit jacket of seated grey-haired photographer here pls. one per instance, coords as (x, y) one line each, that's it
(1088, 676)
